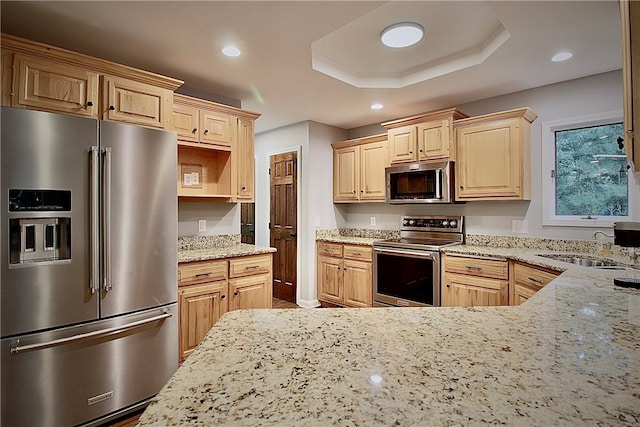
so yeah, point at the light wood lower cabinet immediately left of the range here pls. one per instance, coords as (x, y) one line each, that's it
(345, 274)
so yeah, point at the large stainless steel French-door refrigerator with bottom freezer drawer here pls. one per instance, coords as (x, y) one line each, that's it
(88, 264)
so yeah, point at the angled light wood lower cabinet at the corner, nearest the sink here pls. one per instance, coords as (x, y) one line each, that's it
(526, 279)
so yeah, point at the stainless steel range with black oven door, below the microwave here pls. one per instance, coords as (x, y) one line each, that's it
(406, 271)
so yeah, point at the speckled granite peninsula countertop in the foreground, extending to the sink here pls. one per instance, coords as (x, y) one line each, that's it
(570, 355)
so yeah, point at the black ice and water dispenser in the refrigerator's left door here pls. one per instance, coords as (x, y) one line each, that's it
(39, 226)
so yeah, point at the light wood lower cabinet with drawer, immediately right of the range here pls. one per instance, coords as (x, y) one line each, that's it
(474, 281)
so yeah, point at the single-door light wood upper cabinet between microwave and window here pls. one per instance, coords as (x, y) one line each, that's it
(493, 156)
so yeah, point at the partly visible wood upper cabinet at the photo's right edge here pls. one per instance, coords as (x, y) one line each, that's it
(630, 11)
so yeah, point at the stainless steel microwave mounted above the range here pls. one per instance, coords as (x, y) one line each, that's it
(420, 183)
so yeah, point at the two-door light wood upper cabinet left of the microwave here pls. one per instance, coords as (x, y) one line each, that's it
(358, 169)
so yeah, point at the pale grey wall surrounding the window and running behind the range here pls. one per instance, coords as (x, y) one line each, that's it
(589, 95)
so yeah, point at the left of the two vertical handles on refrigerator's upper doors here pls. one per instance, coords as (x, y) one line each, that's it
(94, 268)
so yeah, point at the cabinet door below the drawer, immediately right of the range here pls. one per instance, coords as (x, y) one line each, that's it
(472, 291)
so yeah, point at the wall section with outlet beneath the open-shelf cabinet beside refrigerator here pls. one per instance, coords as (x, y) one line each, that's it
(222, 218)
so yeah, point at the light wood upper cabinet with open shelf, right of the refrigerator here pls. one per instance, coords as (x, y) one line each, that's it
(215, 150)
